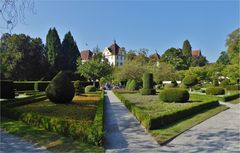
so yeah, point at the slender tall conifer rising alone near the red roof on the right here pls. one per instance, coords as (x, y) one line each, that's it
(187, 52)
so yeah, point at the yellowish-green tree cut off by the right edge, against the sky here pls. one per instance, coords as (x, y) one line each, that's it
(233, 46)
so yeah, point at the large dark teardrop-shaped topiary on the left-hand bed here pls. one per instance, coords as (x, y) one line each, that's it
(60, 89)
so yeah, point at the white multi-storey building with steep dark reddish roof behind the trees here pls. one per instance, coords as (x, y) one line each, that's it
(114, 54)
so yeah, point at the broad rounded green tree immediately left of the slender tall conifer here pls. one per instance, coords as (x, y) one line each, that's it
(174, 57)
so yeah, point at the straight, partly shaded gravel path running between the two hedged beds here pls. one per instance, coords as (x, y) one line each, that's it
(123, 131)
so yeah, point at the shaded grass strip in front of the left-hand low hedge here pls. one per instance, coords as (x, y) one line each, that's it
(50, 140)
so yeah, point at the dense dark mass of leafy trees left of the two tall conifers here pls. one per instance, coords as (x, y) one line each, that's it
(22, 57)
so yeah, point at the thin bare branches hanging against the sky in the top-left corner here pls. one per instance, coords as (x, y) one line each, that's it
(13, 11)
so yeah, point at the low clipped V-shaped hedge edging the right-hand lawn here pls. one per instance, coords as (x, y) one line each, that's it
(170, 116)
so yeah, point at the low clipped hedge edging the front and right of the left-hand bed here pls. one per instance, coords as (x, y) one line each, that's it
(83, 132)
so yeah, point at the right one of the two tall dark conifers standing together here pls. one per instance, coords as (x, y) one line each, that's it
(70, 52)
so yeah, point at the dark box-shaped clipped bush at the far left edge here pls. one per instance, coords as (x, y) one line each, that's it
(7, 91)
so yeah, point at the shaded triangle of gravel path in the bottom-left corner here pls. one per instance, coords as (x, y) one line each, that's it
(12, 144)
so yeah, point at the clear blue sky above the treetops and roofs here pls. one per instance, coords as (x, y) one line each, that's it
(155, 25)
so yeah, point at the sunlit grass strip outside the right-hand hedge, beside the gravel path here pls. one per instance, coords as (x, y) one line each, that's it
(167, 133)
